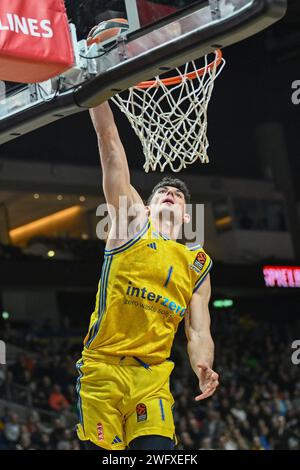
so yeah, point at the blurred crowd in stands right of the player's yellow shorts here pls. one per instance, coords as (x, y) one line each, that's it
(257, 405)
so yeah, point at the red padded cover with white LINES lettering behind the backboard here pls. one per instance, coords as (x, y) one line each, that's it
(35, 40)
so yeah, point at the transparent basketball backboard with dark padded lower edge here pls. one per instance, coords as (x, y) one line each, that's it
(163, 35)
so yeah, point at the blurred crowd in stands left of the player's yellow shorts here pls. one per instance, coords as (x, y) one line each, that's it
(43, 379)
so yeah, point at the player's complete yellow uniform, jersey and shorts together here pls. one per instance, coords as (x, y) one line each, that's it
(144, 291)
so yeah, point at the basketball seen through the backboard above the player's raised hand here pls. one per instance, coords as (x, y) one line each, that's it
(107, 30)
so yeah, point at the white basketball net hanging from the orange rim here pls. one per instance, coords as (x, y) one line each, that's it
(171, 121)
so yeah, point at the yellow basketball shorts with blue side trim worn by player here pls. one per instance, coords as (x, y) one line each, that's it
(119, 402)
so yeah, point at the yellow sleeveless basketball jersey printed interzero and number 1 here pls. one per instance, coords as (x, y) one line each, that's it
(144, 291)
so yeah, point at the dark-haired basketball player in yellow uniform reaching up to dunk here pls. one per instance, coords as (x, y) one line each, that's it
(149, 283)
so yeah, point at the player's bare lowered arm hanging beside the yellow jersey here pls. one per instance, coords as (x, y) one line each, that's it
(200, 342)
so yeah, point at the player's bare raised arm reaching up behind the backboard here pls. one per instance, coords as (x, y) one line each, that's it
(116, 177)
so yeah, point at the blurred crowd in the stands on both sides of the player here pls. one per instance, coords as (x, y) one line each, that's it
(257, 405)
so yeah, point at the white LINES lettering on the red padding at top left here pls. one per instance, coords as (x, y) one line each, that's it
(28, 26)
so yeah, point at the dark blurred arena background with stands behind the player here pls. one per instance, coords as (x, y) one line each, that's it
(51, 257)
